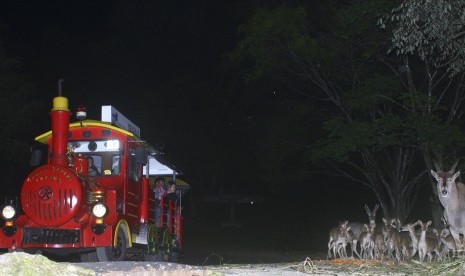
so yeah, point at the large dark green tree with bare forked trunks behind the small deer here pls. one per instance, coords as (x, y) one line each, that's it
(375, 125)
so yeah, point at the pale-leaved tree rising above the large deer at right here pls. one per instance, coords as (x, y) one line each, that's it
(426, 36)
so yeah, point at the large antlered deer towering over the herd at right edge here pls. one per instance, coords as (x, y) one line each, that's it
(452, 197)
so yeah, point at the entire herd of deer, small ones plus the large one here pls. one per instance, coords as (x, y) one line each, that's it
(391, 240)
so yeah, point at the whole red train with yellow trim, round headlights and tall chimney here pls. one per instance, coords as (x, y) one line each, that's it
(93, 196)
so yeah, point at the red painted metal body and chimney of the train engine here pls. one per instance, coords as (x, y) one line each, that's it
(57, 197)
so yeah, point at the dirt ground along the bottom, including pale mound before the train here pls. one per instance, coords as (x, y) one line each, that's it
(254, 248)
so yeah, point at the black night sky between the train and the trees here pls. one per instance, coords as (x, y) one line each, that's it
(163, 64)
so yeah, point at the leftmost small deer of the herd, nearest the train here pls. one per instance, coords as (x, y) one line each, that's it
(339, 237)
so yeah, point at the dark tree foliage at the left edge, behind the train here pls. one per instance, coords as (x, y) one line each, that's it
(19, 110)
